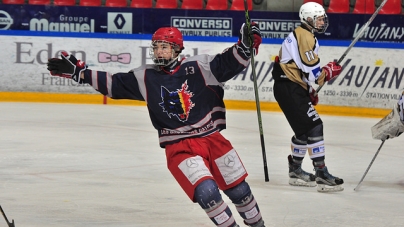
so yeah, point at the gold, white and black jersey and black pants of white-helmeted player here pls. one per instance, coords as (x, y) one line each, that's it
(298, 66)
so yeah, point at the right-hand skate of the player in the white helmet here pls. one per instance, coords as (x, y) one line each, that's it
(327, 182)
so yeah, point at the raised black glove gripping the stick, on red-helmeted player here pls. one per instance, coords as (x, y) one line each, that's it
(244, 39)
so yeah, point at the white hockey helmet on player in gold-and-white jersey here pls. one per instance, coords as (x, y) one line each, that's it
(312, 14)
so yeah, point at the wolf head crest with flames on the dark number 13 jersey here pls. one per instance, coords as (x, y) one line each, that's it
(177, 103)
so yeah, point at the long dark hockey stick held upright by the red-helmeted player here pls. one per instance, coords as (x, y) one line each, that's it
(257, 102)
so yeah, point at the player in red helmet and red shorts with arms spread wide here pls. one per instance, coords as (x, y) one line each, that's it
(185, 102)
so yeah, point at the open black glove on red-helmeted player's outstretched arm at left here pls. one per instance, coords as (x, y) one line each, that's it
(68, 67)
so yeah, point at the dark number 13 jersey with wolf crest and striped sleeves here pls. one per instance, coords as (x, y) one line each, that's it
(184, 103)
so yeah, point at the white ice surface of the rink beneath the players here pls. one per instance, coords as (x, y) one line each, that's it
(65, 165)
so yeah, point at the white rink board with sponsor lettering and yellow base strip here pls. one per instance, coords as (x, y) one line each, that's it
(371, 81)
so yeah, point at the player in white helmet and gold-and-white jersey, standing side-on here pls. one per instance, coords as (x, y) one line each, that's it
(296, 67)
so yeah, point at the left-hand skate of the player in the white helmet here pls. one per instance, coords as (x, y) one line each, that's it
(299, 177)
